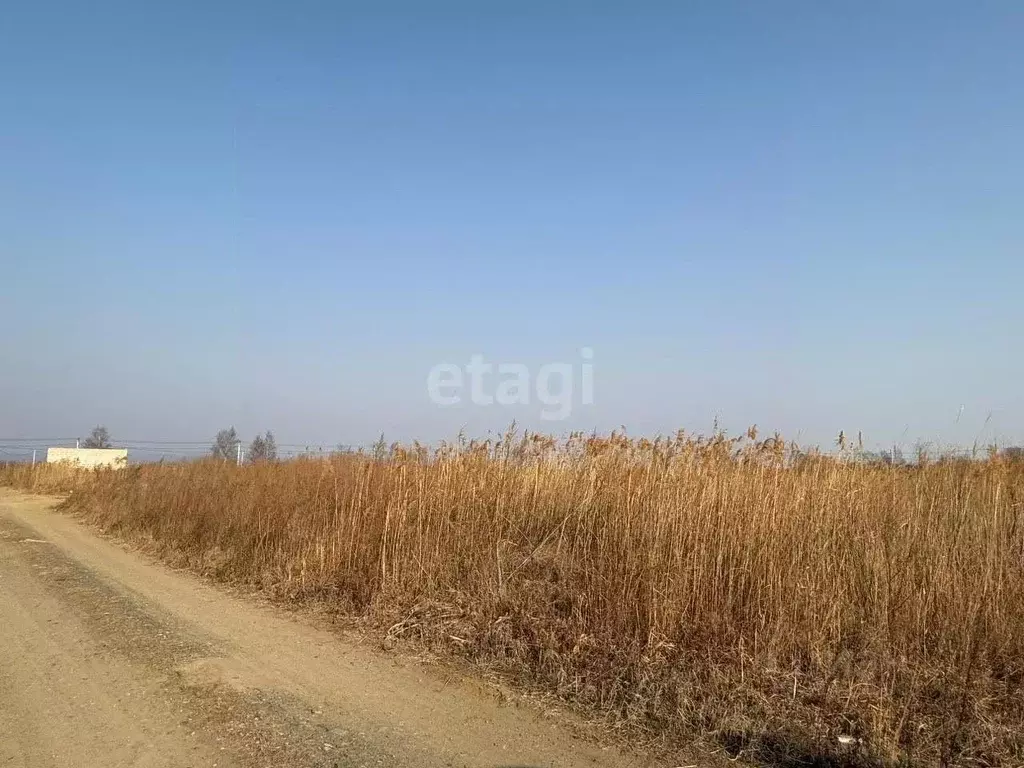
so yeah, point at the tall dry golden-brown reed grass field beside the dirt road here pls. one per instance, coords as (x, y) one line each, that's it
(797, 609)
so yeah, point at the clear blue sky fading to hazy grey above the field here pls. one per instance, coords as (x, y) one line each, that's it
(804, 216)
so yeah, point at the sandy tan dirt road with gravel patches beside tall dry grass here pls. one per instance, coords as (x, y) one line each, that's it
(110, 660)
